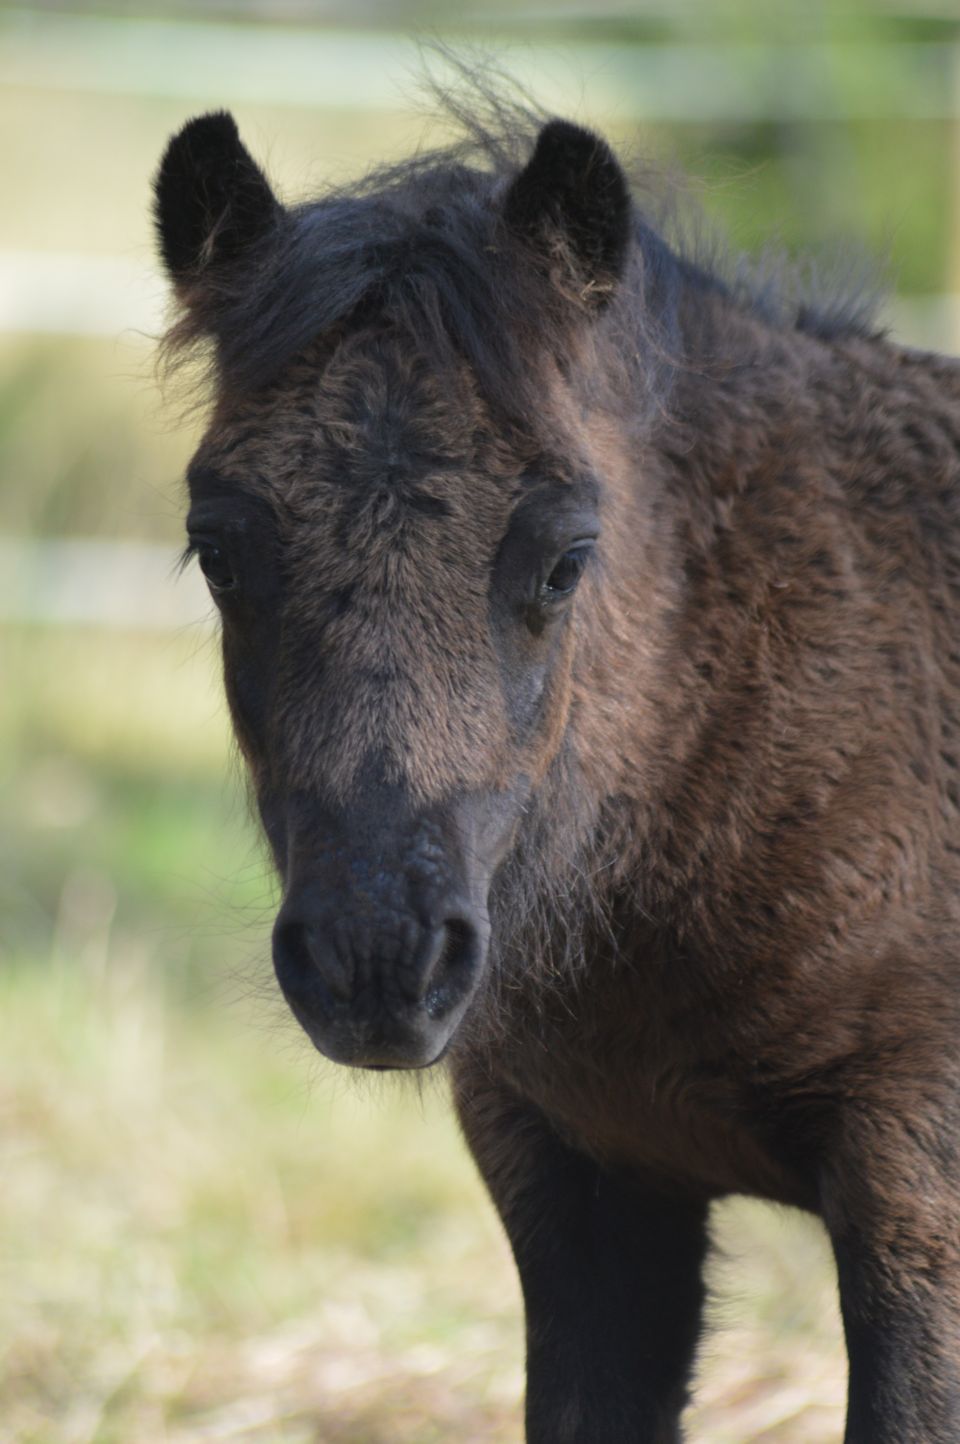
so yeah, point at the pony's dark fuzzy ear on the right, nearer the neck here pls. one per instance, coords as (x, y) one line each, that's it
(572, 197)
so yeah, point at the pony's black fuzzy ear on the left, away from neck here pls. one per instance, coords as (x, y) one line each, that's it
(211, 201)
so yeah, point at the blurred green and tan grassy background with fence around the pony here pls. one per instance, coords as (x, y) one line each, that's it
(206, 1234)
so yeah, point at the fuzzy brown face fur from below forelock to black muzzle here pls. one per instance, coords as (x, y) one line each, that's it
(392, 493)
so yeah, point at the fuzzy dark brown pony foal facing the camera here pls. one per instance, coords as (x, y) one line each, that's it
(591, 630)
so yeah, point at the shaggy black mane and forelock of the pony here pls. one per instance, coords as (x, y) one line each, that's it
(421, 246)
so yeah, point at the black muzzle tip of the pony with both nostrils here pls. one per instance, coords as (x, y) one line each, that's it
(378, 993)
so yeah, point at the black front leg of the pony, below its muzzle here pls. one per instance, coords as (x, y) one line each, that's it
(611, 1273)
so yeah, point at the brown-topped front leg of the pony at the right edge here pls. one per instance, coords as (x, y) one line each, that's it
(891, 1201)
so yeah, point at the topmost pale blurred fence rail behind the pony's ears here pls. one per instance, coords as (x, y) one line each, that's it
(334, 67)
